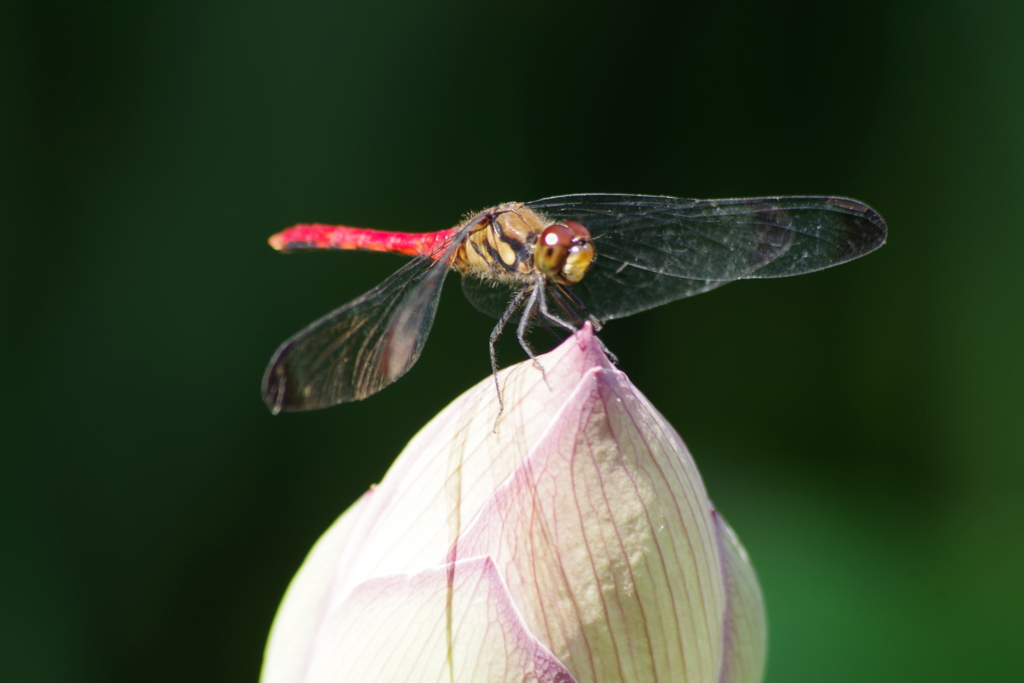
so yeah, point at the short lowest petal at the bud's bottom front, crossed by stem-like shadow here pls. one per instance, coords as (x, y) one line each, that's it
(395, 630)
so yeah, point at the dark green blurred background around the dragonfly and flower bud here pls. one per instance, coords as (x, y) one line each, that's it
(862, 428)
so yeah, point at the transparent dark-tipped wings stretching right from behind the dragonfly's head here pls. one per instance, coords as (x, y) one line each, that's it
(652, 250)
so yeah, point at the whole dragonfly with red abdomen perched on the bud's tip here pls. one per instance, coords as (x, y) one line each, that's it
(561, 262)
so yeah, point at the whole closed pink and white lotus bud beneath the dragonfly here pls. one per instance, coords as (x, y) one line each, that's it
(607, 552)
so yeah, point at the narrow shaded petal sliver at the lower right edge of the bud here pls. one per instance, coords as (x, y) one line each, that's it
(746, 628)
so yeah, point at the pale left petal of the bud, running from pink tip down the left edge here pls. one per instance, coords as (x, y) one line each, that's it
(409, 522)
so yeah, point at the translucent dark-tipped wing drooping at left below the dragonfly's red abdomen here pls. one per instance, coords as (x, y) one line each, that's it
(357, 351)
